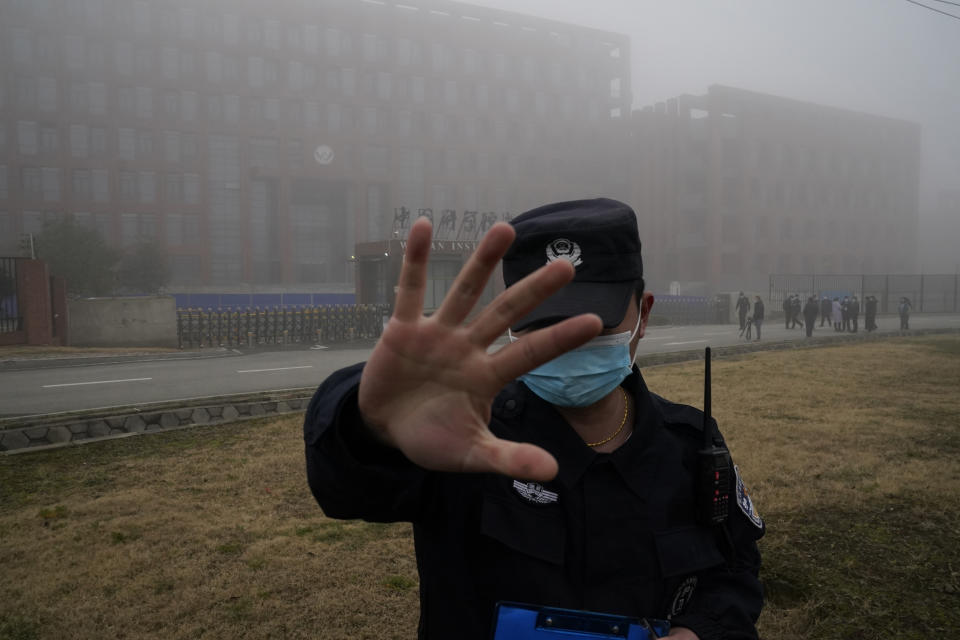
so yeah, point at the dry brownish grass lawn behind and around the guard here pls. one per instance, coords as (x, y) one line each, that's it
(852, 454)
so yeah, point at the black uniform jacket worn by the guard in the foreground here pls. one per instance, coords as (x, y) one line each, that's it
(614, 532)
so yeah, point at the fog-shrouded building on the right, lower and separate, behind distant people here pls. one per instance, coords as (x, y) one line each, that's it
(733, 185)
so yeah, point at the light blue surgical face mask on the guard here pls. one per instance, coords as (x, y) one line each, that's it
(583, 376)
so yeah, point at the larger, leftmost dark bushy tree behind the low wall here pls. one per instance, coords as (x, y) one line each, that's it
(79, 254)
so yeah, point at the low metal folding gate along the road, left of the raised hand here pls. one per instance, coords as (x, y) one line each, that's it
(325, 324)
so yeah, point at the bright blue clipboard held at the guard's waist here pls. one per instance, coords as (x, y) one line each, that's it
(516, 621)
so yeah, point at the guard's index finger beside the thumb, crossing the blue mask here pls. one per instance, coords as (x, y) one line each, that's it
(543, 345)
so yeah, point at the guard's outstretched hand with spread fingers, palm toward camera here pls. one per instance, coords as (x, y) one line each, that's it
(429, 384)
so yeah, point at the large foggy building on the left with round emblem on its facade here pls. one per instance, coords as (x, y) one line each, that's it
(261, 142)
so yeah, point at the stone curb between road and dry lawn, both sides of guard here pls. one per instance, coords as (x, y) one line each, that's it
(52, 431)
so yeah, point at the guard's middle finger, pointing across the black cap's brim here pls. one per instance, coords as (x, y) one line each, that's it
(519, 300)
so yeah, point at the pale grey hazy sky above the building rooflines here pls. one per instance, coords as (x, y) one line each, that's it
(887, 57)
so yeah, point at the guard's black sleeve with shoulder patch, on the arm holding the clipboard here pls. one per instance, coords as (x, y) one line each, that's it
(727, 599)
